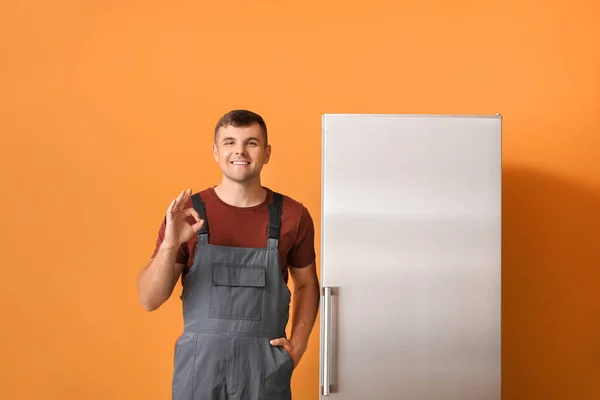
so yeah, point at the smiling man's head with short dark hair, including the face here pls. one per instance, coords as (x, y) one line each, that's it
(241, 145)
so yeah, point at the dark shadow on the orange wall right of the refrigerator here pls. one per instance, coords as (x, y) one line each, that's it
(551, 287)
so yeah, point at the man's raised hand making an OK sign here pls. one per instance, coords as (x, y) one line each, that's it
(178, 230)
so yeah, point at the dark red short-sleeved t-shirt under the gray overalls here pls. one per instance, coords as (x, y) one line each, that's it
(248, 227)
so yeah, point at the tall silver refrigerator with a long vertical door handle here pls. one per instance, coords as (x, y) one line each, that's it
(411, 257)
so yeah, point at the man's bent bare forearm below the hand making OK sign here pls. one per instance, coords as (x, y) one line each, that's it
(157, 280)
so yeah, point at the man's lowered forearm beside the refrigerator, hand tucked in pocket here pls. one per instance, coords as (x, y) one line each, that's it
(306, 305)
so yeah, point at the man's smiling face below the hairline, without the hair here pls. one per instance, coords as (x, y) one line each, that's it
(241, 152)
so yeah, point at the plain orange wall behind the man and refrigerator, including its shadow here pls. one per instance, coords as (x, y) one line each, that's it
(107, 110)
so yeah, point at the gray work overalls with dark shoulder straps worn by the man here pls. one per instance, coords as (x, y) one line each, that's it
(234, 302)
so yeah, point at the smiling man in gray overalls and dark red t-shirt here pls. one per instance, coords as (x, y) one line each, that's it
(233, 245)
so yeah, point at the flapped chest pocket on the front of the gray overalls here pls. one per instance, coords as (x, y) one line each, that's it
(237, 291)
